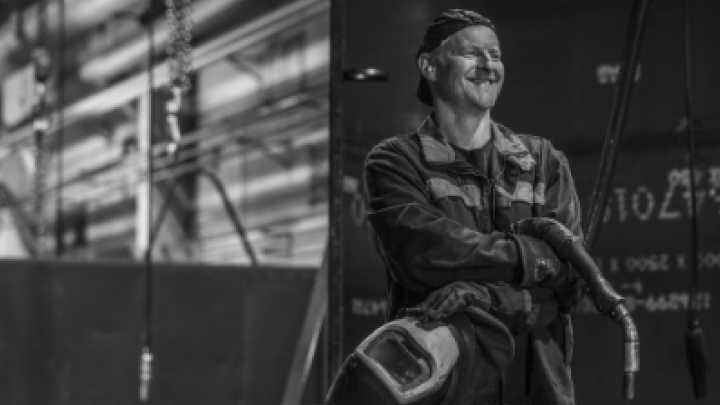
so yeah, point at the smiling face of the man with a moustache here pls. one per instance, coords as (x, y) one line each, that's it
(469, 70)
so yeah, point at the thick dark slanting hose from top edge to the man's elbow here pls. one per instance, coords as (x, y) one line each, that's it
(628, 69)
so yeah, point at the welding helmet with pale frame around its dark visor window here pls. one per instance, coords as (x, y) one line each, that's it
(405, 362)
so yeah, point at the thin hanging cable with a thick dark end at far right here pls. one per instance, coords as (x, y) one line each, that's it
(694, 337)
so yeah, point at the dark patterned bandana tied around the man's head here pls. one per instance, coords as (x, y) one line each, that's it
(439, 30)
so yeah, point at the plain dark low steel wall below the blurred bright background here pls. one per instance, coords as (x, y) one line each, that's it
(70, 333)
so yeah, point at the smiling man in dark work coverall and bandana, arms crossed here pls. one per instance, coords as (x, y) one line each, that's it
(441, 204)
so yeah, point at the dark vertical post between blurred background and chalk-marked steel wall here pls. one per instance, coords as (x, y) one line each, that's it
(335, 285)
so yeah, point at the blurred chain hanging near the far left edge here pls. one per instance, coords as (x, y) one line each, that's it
(41, 125)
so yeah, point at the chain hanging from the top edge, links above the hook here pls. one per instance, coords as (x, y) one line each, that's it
(179, 49)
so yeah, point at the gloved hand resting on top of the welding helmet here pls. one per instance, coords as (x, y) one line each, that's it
(449, 299)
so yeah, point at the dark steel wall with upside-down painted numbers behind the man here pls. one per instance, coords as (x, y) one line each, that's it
(561, 59)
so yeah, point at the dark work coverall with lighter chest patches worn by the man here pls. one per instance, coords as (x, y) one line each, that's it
(437, 219)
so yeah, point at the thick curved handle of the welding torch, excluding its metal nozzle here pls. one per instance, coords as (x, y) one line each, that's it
(569, 247)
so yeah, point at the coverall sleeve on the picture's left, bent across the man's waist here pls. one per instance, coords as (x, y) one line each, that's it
(428, 248)
